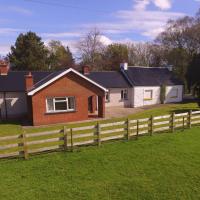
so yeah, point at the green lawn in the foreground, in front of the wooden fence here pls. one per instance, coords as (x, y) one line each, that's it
(164, 166)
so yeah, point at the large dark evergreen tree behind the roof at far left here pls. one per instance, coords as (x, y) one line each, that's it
(28, 53)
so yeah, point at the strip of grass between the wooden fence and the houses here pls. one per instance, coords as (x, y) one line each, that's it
(13, 129)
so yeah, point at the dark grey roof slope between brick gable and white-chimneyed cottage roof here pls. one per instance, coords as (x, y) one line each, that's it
(109, 79)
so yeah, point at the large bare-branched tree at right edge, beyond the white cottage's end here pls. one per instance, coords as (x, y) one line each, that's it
(181, 40)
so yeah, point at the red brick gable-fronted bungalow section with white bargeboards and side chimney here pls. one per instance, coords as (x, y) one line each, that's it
(63, 97)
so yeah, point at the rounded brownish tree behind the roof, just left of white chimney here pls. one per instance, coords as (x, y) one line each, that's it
(115, 54)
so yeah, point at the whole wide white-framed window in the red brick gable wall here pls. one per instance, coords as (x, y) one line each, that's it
(60, 104)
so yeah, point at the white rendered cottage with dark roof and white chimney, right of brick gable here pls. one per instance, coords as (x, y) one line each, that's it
(139, 86)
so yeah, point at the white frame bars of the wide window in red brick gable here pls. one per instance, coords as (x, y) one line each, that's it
(55, 101)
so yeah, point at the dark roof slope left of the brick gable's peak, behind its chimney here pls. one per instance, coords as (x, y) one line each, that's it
(15, 81)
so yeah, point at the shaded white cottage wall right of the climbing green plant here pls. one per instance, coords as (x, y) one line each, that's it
(170, 96)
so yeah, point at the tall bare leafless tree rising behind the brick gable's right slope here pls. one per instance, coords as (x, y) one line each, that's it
(90, 49)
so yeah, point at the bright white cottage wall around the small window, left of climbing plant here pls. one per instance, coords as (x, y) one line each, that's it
(138, 96)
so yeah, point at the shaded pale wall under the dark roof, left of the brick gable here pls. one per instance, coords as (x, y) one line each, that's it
(16, 104)
